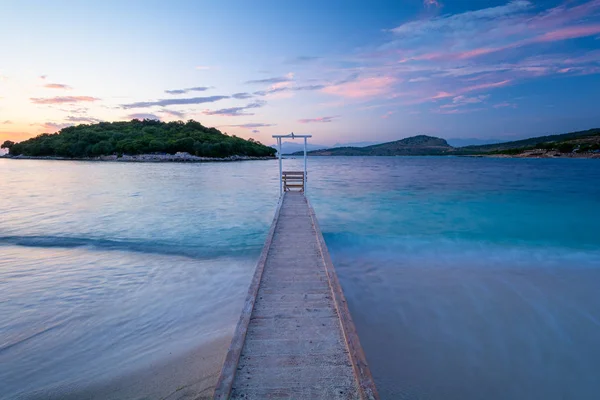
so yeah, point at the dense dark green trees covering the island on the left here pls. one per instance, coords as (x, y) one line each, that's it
(138, 137)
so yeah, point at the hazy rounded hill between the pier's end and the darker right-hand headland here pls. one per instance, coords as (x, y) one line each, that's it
(412, 146)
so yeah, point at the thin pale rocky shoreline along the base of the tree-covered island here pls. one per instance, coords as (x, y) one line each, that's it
(157, 158)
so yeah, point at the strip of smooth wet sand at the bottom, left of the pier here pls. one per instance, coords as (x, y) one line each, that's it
(189, 376)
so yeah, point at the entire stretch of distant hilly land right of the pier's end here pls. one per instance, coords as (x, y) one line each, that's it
(582, 144)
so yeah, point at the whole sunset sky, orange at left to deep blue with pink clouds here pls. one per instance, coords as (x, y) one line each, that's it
(341, 70)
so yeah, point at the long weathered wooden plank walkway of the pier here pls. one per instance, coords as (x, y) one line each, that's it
(295, 338)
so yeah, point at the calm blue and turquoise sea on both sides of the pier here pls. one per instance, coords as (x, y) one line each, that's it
(466, 278)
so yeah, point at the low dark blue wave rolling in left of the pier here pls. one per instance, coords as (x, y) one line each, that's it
(131, 245)
